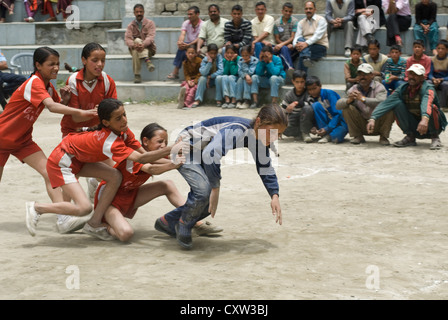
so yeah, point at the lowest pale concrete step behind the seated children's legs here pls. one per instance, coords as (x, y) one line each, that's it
(169, 90)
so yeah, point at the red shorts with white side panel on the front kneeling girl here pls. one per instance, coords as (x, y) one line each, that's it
(62, 168)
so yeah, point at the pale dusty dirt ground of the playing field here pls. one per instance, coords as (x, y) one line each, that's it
(359, 222)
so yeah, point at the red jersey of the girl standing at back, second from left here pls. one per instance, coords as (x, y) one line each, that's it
(86, 98)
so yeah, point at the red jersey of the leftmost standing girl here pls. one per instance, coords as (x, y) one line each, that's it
(23, 109)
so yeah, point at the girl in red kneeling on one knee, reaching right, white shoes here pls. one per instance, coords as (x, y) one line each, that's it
(82, 154)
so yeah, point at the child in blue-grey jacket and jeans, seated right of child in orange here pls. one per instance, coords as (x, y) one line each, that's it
(211, 67)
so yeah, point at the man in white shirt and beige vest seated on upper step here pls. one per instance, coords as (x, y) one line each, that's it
(311, 39)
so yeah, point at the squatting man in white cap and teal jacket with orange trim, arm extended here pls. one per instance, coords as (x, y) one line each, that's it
(416, 108)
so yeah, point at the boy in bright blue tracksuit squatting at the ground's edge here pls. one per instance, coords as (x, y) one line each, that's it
(331, 125)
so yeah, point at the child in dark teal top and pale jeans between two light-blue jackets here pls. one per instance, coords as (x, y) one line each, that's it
(226, 83)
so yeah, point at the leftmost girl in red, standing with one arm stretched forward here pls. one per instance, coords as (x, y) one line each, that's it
(23, 109)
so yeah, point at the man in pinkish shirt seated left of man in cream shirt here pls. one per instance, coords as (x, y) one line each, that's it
(188, 36)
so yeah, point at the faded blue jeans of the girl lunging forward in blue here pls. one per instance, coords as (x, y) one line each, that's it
(197, 204)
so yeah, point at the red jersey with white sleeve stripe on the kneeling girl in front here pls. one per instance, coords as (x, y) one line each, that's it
(96, 146)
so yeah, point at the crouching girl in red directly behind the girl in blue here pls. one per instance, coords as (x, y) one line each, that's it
(133, 193)
